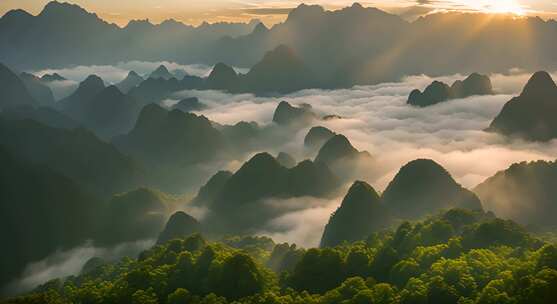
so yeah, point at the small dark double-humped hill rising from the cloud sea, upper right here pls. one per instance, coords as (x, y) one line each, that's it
(438, 92)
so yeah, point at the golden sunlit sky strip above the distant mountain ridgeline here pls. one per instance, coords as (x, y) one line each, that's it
(271, 11)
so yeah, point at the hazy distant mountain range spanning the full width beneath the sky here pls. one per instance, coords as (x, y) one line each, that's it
(437, 44)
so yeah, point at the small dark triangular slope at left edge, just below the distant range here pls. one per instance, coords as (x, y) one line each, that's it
(14, 92)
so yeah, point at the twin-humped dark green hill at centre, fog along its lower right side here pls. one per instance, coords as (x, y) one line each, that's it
(239, 205)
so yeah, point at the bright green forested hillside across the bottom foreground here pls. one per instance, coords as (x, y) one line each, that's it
(455, 257)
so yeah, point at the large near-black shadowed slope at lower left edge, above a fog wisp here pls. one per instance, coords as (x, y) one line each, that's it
(52, 205)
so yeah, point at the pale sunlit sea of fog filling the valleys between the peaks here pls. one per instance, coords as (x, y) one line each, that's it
(374, 118)
